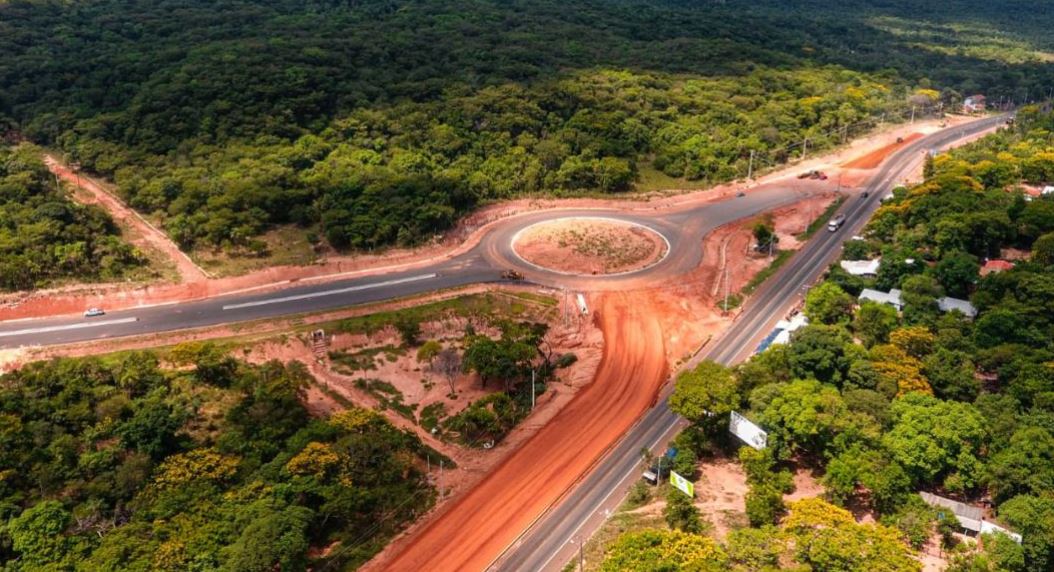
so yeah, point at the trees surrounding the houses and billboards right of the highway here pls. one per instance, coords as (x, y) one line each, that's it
(885, 404)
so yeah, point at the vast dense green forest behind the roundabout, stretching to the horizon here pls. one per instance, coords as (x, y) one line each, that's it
(380, 123)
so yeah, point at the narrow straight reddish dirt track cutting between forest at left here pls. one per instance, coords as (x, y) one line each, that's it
(144, 234)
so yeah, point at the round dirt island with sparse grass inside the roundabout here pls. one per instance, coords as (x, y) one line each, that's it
(591, 246)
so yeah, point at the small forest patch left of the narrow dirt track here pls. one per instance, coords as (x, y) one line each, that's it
(45, 236)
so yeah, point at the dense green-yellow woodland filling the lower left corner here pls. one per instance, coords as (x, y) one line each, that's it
(199, 463)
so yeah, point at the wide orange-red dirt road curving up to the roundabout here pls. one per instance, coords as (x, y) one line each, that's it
(475, 529)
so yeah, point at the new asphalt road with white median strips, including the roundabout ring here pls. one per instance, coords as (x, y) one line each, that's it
(484, 264)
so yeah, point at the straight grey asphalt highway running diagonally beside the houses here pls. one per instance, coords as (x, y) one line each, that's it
(556, 538)
